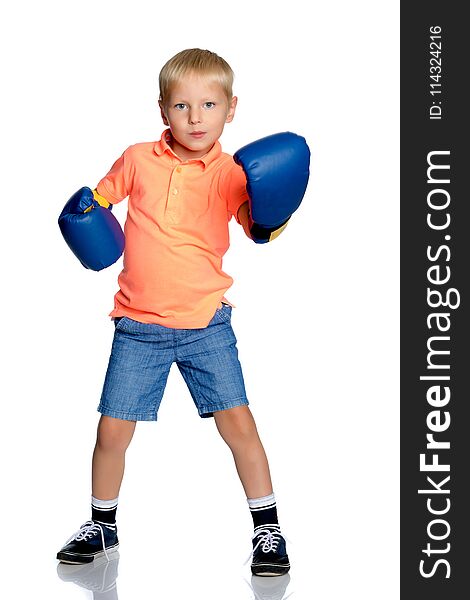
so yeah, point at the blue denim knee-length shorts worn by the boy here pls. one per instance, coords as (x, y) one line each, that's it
(141, 358)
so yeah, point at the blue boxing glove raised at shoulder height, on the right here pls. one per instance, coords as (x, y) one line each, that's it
(277, 171)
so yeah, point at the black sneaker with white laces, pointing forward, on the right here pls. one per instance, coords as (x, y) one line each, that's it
(269, 552)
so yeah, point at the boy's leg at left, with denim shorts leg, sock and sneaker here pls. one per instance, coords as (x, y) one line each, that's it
(140, 360)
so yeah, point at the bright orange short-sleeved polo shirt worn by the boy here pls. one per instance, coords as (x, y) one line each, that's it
(176, 231)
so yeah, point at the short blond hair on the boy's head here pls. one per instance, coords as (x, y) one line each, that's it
(200, 62)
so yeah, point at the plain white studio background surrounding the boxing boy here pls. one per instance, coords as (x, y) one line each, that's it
(316, 317)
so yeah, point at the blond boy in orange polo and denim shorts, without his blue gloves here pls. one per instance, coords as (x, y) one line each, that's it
(170, 307)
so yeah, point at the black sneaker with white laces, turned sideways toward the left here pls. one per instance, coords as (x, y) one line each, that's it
(89, 542)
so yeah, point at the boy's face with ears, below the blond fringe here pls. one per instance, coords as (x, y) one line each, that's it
(196, 112)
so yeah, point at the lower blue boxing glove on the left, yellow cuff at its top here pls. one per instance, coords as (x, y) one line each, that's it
(92, 232)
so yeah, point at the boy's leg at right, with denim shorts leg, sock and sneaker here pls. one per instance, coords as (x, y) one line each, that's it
(208, 361)
